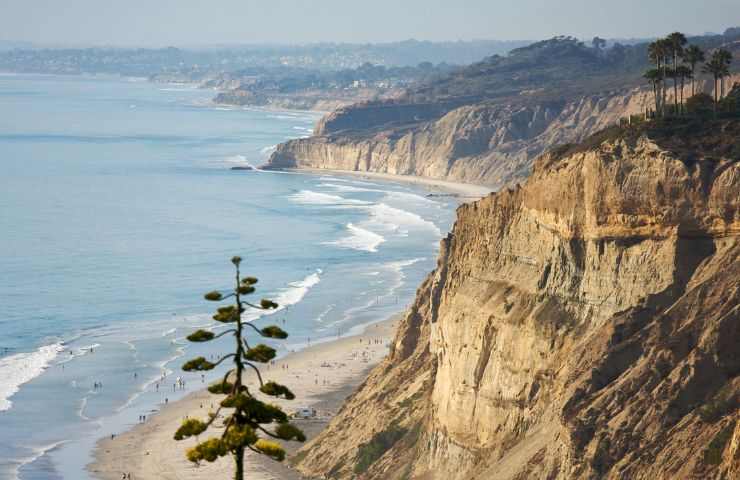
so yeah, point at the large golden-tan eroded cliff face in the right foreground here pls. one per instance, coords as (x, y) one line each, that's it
(585, 325)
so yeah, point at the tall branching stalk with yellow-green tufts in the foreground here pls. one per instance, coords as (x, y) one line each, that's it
(244, 426)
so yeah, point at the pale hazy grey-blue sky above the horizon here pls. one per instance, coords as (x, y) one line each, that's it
(203, 22)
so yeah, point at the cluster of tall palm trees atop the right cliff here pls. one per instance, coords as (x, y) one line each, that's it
(676, 61)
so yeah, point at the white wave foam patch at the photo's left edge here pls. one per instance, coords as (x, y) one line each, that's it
(15, 370)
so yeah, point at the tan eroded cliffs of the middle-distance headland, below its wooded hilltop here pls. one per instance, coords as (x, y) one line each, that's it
(491, 143)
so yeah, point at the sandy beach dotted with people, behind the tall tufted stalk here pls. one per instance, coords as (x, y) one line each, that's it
(321, 376)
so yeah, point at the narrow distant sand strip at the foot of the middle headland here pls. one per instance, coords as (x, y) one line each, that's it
(467, 192)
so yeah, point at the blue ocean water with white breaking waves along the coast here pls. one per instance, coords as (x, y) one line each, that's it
(118, 210)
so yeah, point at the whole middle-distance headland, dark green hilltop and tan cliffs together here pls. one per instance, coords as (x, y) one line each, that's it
(486, 123)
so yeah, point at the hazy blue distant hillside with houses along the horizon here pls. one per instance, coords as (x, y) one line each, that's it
(196, 64)
